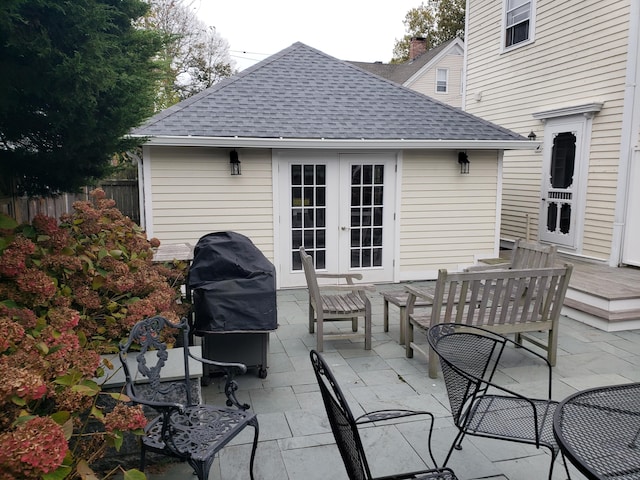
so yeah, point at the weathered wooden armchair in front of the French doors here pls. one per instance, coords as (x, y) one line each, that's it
(348, 304)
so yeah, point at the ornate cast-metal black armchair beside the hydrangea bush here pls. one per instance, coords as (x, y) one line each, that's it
(185, 429)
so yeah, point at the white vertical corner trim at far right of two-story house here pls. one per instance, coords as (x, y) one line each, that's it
(629, 126)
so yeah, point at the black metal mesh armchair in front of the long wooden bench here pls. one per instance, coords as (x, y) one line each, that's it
(469, 357)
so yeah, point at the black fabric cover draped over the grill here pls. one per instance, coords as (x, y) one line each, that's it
(233, 285)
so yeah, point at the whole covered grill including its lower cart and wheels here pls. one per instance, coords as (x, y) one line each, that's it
(234, 300)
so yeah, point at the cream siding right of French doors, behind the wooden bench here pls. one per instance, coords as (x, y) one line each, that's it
(446, 219)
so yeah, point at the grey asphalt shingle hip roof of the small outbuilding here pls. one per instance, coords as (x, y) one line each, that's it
(302, 93)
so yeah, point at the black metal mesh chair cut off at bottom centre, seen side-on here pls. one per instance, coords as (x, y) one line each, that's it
(345, 429)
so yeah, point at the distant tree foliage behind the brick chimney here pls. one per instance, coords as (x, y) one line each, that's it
(437, 22)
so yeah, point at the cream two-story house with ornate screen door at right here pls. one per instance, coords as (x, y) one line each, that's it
(565, 74)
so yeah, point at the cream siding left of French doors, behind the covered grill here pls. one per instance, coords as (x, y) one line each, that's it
(193, 193)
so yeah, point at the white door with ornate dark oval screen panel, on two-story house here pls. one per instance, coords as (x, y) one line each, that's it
(561, 182)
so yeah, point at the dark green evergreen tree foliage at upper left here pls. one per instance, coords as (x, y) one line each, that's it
(77, 75)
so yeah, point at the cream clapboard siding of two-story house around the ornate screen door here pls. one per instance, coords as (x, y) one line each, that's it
(579, 57)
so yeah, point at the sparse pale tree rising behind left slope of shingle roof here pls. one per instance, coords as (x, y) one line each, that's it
(194, 57)
